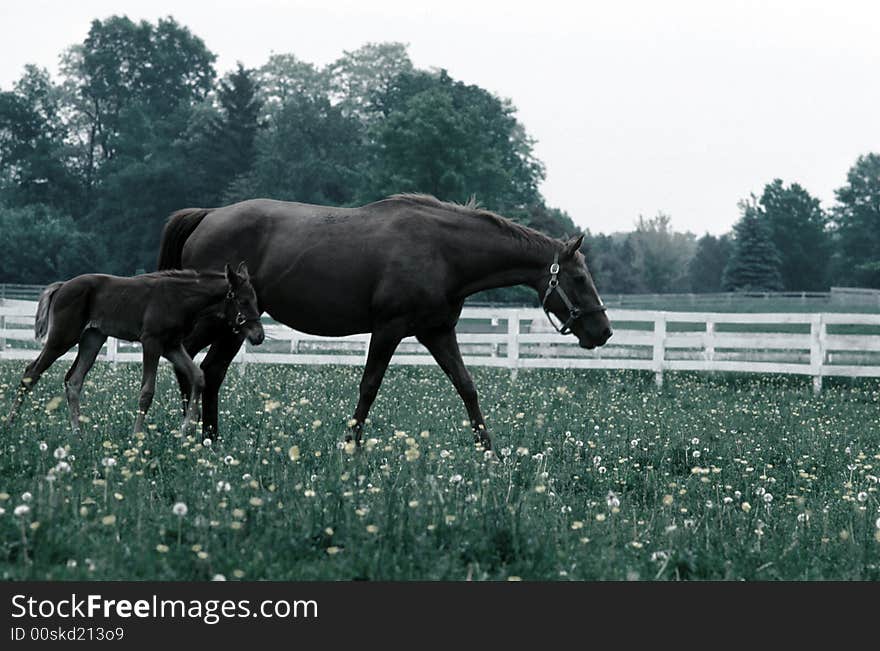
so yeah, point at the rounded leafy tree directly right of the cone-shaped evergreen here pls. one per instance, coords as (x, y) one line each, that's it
(798, 230)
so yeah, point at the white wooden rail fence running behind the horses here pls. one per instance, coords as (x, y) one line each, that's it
(815, 345)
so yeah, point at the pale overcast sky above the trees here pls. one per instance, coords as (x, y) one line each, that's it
(637, 106)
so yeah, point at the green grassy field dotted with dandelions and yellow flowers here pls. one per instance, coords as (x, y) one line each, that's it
(597, 476)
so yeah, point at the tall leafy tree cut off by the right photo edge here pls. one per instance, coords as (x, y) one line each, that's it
(857, 221)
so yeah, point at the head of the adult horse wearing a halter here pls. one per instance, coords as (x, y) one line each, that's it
(568, 292)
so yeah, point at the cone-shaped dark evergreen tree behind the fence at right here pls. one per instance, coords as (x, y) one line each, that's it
(754, 263)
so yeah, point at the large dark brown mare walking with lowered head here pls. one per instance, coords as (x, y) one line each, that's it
(398, 267)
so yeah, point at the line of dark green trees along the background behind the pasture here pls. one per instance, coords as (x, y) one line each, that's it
(139, 124)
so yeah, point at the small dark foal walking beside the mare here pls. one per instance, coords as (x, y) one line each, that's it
(157, 309)
